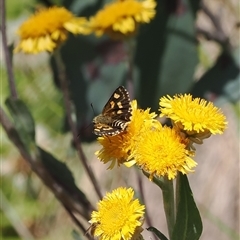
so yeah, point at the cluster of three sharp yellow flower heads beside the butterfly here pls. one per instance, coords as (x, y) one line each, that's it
(161, 150)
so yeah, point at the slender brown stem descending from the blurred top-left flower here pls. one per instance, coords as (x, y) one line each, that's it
(72, 125)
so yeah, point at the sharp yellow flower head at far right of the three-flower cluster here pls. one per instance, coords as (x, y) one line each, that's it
(194, 116)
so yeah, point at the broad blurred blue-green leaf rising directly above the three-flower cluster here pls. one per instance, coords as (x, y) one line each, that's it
(166, 52)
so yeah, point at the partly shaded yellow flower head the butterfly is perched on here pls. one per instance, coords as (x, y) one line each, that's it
(118, 148)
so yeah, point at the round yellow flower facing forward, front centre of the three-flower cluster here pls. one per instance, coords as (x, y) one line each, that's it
(160, 151)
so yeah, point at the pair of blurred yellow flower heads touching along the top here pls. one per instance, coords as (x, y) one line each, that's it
(48, 28)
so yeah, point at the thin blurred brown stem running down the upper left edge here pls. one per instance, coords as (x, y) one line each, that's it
(11, 80)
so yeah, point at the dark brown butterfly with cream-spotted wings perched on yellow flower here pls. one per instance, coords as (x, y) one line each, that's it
(115, 115)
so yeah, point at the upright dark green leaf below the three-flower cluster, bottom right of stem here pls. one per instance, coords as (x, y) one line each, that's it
(188, 224)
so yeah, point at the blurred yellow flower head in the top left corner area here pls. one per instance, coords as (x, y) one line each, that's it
(45, 30)
